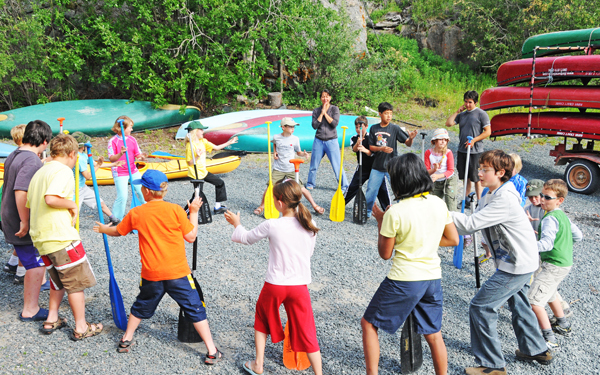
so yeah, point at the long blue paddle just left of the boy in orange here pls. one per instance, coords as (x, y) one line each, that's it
(116, 301)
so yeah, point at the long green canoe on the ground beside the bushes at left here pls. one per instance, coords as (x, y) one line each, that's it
(97, 116)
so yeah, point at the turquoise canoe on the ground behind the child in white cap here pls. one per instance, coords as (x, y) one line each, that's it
(255, 139)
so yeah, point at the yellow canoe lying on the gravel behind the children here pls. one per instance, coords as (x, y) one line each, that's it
(176, 168)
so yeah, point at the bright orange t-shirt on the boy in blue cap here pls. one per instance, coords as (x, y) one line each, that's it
(161, 226)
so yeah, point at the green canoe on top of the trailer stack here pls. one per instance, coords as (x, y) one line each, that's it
(572, 38)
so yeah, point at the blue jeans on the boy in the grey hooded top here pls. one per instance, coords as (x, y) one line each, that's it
(483, 316)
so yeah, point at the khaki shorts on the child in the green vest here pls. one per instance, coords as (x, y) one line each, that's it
(545, 283)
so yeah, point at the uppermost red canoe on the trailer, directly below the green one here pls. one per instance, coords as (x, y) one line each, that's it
(549, 69)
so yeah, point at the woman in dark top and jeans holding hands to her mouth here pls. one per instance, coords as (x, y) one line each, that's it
(325, 121)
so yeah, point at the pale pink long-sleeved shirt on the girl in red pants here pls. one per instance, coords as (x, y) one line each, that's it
(290, 249)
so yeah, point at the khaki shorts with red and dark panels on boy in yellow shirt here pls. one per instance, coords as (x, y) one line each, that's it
(69, 269)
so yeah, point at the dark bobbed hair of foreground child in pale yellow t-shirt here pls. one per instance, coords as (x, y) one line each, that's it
(408, 176)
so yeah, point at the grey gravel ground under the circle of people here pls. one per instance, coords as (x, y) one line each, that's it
(346, 272)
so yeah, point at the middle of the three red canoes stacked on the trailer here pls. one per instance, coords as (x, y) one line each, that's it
(551, 96)
